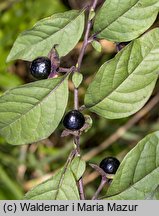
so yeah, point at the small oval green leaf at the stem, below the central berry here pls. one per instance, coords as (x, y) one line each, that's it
(78, 167)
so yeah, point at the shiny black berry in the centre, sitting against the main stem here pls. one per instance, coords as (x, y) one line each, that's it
(74, 120)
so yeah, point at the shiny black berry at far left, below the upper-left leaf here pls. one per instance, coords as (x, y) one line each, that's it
(41, 67)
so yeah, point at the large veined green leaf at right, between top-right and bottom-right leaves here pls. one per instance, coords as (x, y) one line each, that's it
(124, 84)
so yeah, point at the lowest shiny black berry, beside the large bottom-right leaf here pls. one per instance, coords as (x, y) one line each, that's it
(109, 165)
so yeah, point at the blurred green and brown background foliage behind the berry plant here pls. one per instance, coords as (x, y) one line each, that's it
(23, 167)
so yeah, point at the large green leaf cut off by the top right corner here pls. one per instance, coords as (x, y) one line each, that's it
(120, 20)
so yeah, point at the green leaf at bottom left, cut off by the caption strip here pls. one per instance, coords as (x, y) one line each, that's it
(62, 186)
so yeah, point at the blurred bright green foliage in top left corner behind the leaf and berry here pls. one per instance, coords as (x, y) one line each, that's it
(17, 16)
